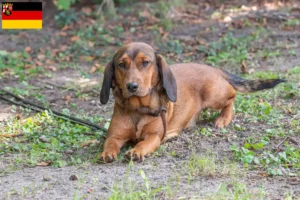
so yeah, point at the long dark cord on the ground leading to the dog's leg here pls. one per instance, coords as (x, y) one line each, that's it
(38, 108)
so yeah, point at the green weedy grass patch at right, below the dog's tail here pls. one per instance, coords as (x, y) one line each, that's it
(260, 149)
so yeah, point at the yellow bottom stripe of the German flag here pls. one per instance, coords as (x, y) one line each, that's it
(22, 24)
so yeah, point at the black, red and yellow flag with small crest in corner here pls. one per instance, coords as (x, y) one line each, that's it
(22, 15)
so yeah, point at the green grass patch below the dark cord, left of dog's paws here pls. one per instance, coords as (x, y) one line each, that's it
(49, 140)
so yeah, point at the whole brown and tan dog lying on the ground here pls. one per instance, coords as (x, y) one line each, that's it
(154, 101)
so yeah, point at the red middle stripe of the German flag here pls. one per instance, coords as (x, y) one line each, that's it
(26, 15)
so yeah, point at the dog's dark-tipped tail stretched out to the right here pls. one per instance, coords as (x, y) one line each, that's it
(246, 86)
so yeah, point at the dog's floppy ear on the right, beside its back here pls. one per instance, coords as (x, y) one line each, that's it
(167, 77)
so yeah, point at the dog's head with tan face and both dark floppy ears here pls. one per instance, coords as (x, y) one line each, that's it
(136, 69)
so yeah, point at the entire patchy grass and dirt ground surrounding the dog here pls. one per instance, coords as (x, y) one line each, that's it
(61, 68)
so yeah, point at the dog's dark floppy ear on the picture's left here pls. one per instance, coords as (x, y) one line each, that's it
(107, 82)
